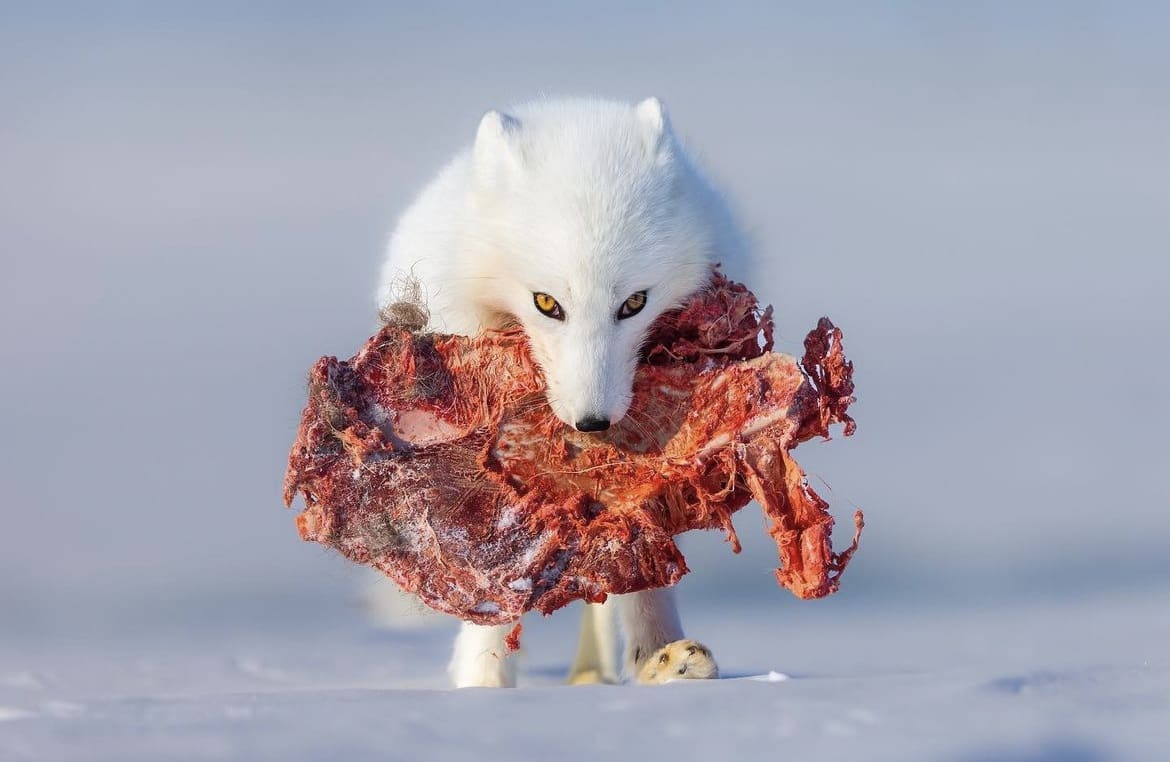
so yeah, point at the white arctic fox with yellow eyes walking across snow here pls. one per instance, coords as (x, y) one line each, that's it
(582, 221)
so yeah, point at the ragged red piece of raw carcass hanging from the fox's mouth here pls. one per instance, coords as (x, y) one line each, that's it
(437, 461)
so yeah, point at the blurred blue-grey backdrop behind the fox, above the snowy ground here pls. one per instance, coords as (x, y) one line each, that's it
(196, 197)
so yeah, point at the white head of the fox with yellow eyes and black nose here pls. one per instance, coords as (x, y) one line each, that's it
(588, 222)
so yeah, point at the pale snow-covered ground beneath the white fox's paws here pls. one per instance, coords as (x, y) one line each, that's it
(1071, 682)
